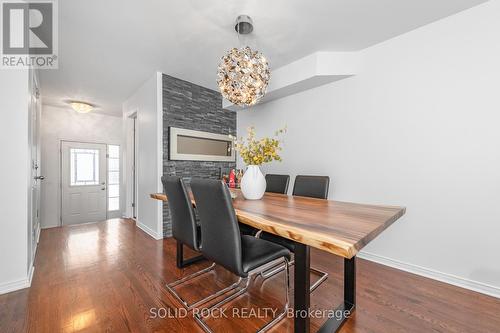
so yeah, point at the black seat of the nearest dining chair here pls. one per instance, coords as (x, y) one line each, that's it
(257, 252)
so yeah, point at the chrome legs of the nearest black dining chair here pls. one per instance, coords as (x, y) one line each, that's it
(281, 315)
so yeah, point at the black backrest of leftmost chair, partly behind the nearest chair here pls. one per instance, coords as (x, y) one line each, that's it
(181, 211)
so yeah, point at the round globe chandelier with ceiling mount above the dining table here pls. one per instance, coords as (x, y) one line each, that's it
(243, 74)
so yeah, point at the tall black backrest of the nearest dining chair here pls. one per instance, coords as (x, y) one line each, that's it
(220, 234)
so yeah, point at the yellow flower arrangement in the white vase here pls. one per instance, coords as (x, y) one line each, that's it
(258, 151)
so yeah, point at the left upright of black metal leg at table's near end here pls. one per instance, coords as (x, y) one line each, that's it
(301, 288)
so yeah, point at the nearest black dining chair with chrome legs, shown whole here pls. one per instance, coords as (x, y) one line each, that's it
(243, 255)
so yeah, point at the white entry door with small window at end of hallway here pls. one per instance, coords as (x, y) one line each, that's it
(83, 182)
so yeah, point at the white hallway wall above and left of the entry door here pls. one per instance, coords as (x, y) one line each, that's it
(66, 124)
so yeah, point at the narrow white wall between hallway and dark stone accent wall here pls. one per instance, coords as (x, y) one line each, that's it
(146, 103)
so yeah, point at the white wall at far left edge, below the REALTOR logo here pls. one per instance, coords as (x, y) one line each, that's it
(14, 175)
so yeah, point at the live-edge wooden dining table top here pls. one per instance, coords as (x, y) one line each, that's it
(341, 228)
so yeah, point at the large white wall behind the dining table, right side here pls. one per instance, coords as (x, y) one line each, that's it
(417, 127)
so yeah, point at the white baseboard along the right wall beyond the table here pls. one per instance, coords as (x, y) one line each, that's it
(433, 274)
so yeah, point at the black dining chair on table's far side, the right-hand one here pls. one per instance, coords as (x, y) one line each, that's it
(305, 186)
